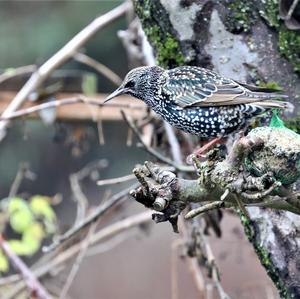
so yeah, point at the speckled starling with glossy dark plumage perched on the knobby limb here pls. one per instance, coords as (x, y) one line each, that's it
(197, 100)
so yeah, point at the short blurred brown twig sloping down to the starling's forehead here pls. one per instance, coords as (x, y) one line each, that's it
(99, 67)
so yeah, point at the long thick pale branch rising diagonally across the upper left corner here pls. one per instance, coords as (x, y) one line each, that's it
(64, 54)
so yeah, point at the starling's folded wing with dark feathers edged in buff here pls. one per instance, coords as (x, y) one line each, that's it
(193, 86)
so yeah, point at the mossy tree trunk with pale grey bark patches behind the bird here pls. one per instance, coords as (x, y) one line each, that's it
(247, 41)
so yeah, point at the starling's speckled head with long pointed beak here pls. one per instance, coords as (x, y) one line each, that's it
(142, 83)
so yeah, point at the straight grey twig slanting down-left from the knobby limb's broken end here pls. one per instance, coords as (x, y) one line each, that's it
(91, 218)
